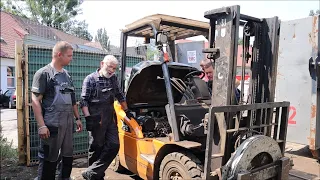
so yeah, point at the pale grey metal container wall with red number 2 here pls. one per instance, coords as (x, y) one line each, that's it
(297, 78)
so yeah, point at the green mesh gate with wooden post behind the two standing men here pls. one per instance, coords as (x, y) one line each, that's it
(29, 59)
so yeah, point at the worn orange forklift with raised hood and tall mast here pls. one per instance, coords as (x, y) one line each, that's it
(179, 129)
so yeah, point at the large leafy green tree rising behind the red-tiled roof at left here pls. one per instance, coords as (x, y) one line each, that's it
(59, 14)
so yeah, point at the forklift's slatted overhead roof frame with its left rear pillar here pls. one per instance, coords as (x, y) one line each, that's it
(149, 26)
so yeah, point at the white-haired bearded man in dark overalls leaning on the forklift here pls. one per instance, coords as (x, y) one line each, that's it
(98, 92)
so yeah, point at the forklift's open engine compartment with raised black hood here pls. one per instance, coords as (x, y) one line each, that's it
(147, 98)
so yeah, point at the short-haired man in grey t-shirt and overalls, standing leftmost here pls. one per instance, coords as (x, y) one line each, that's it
(54, 107)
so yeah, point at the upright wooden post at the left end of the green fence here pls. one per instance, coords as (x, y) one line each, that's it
(19, 101)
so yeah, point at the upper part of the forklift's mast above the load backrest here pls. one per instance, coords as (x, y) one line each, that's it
(223, 49)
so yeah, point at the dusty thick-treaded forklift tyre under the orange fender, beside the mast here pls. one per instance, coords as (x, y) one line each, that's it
(180, 165)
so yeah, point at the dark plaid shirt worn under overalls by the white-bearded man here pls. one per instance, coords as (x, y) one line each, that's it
(89, 86)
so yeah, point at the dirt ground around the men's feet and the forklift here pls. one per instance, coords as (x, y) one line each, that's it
(305, 167)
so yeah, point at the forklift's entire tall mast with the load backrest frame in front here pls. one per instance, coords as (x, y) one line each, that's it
(256, 116)
